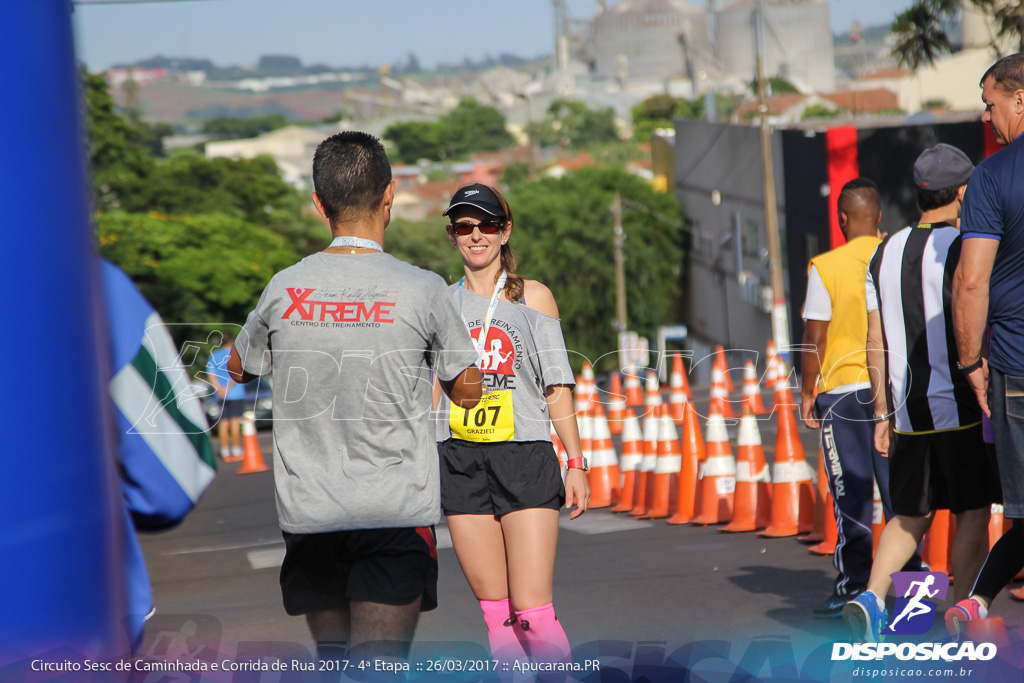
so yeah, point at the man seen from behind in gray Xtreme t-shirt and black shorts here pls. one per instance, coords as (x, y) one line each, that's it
(352, 335)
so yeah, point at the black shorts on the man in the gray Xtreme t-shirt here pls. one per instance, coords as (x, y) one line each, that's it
(392, 567)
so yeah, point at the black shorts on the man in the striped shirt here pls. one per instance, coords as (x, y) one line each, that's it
(949, 471)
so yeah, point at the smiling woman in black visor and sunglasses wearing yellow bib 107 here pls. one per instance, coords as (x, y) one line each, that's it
(501, 481)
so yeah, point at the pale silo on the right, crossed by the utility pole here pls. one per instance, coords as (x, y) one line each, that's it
(797, 35)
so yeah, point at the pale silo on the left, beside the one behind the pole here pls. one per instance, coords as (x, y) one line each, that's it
(651, 39)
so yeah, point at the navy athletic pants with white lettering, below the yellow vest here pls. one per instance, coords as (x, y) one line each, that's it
(852, 466)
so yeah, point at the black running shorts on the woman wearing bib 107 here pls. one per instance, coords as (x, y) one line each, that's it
(498, 479)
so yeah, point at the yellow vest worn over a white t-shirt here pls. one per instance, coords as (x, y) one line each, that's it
(843, 271)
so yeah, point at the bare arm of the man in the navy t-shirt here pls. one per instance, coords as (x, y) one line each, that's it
(971, 309)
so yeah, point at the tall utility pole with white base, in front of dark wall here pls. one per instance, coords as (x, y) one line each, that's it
(780, 316)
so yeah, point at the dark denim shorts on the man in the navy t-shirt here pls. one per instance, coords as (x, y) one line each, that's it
(1006, 400)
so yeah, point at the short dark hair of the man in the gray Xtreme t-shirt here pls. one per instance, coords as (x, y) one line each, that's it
(351, 174)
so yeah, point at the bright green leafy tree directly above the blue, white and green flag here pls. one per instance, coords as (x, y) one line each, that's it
(197, 271)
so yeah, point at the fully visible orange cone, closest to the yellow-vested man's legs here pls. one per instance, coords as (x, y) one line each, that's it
(793, 492)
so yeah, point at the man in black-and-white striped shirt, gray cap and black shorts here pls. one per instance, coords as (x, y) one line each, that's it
(937, 458)
